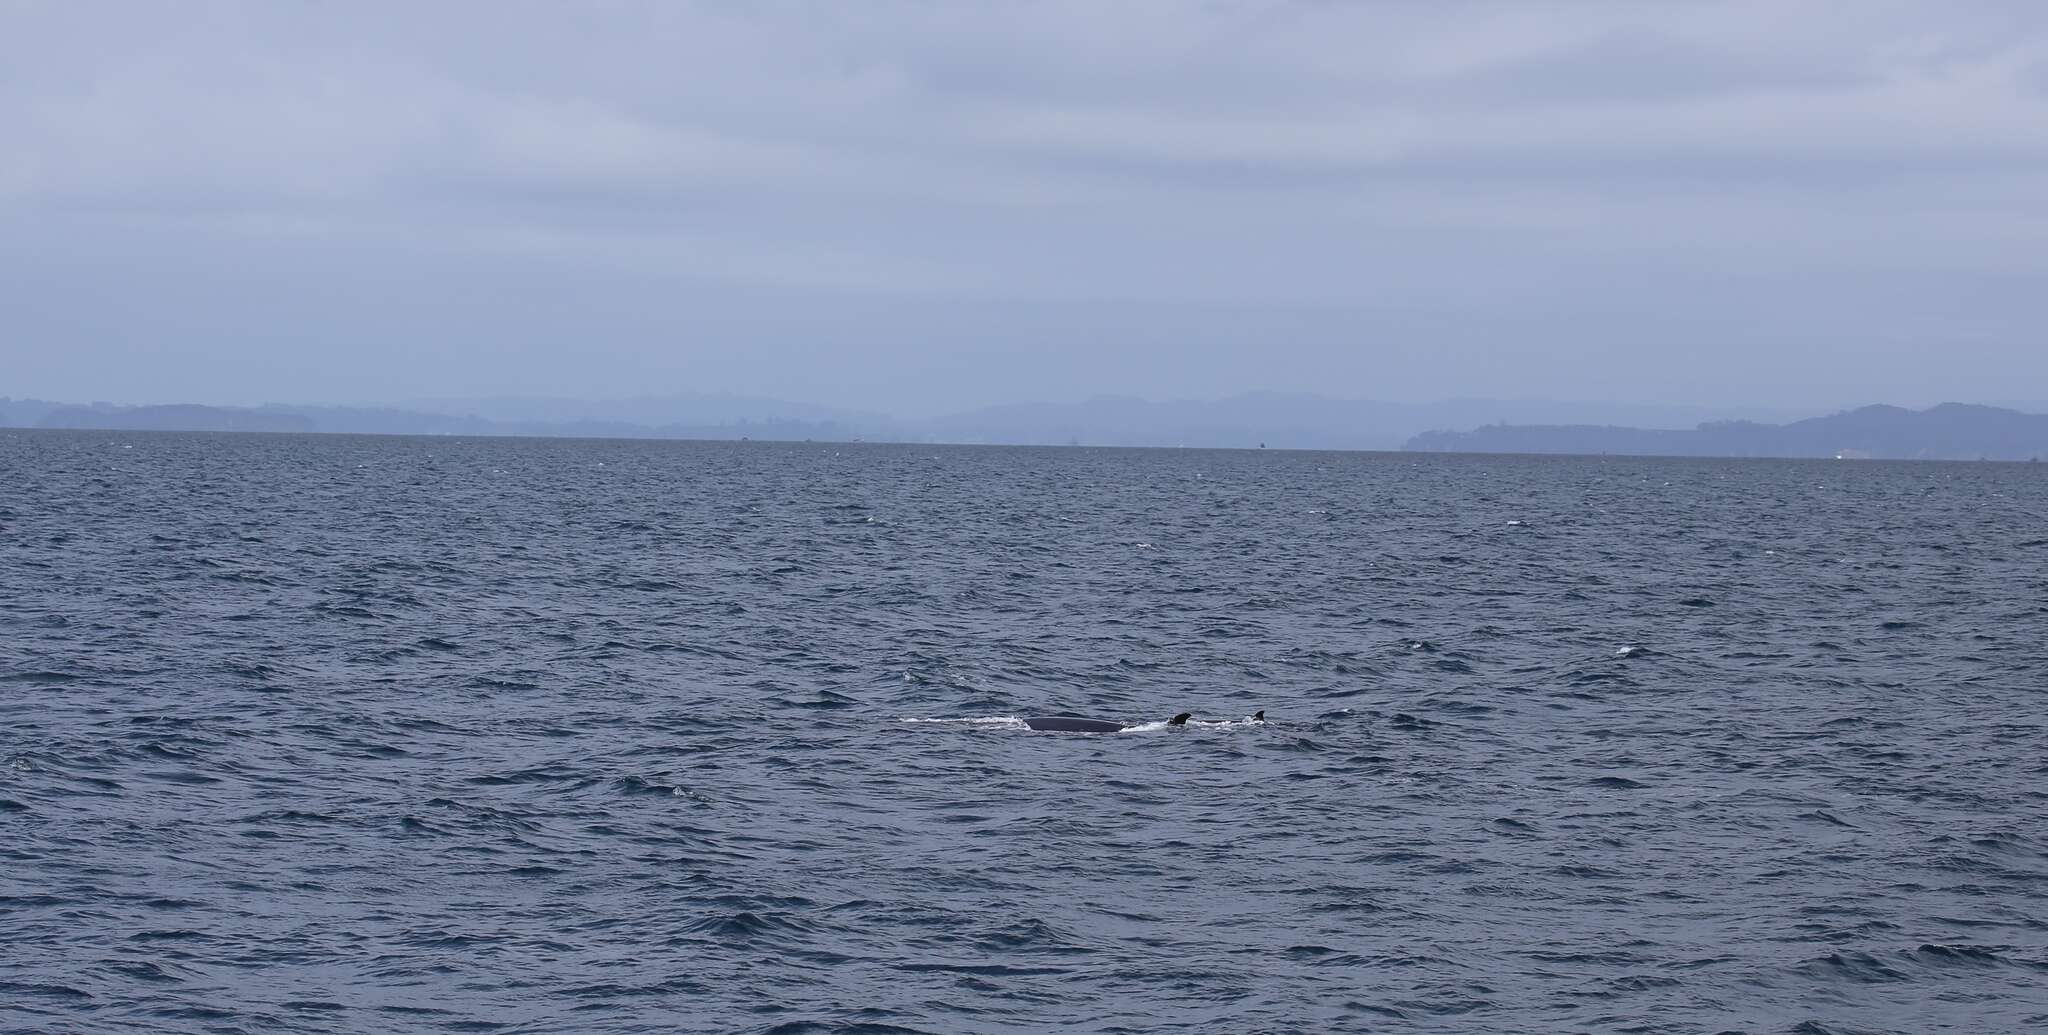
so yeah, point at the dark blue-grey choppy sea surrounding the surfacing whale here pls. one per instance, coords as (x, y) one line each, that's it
(411, 735)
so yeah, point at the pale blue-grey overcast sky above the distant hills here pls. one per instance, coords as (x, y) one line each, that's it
(943, 204)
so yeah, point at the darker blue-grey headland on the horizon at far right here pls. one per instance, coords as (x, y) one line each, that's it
(1949, 431)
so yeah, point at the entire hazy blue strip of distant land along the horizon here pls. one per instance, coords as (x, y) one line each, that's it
(1949, 431)
